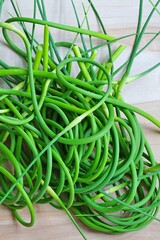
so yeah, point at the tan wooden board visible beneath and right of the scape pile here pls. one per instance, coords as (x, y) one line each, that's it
(55, 224)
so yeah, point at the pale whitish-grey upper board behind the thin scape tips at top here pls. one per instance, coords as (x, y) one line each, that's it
(120, 18)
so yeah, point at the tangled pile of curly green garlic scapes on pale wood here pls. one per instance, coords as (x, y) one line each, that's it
(72, 141)
